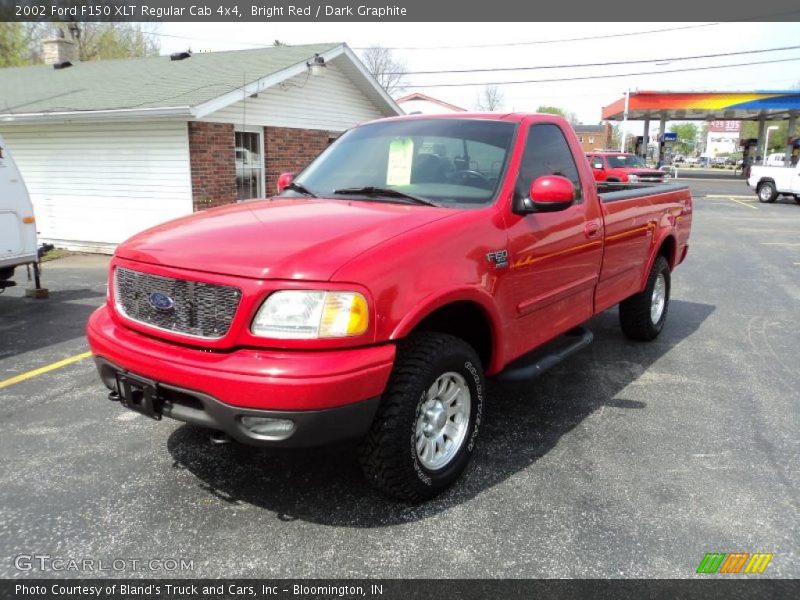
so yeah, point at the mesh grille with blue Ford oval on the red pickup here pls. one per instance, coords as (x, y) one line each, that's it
(195, 308)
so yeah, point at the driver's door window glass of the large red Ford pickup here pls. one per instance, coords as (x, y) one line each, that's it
(547, 153)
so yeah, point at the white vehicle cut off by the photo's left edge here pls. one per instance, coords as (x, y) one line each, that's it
(17, 225)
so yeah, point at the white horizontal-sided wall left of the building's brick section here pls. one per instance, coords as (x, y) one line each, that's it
(94, 185)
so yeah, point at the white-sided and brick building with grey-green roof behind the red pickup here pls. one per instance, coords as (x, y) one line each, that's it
(108, 148)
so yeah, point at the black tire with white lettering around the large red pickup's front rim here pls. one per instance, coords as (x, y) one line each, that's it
(388, 454)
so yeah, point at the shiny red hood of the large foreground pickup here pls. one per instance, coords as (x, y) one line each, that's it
(306, 239)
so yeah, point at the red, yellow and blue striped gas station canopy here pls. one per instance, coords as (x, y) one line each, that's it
(705, 106)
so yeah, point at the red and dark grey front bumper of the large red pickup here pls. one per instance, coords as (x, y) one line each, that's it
(328, 396)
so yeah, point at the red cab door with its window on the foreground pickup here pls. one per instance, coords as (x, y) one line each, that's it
(554, 257)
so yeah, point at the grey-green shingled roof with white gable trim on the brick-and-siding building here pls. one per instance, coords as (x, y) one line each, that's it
(158, 85)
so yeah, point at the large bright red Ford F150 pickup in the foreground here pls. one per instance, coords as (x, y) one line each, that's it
(369, 299)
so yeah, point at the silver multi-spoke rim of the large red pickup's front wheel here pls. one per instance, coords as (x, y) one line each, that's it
(443, 421)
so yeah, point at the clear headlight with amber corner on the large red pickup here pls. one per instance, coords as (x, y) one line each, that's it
(303, 314)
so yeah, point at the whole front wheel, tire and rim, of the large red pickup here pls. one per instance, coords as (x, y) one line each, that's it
(428, 421)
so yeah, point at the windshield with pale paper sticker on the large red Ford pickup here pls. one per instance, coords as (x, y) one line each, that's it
(449, 162)
